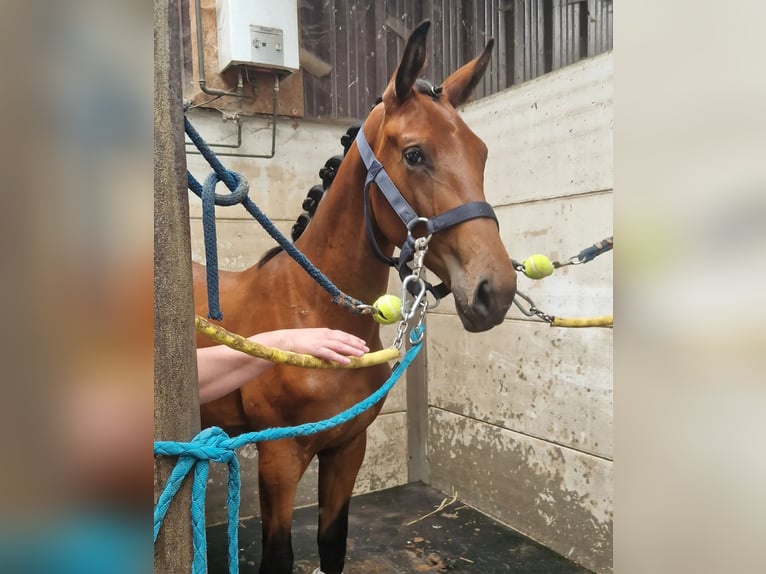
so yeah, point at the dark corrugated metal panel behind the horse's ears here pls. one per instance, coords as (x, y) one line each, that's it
(363, 41)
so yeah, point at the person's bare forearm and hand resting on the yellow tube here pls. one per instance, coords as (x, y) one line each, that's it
(221, 369)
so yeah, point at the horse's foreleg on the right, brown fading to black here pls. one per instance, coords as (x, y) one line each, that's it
(337, 473)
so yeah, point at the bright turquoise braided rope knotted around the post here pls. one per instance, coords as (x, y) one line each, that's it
(214, 444)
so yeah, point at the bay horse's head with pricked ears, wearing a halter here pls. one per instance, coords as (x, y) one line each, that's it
(426, 177)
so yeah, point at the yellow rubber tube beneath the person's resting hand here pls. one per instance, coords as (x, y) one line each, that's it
(224, 337)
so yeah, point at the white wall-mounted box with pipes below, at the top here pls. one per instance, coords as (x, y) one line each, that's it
(258, 33)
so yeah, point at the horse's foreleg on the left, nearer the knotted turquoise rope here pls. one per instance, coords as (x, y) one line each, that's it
(280, 466)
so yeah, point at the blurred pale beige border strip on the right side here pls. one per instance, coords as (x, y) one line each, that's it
(690, 227)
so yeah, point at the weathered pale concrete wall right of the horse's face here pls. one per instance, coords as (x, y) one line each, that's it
(520, 418)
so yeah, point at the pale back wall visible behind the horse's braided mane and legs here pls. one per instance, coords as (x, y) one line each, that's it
(278, 186)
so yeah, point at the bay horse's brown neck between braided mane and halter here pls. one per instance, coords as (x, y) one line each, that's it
(336, 240)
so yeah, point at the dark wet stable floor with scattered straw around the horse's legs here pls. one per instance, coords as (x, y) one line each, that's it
(396, 531)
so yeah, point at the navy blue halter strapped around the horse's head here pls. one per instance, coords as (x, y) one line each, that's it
(376, 173)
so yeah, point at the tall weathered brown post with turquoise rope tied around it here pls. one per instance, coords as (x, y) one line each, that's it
(176, 398)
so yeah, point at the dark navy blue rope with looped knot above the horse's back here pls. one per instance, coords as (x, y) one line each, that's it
(238, 185)
